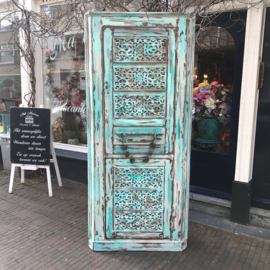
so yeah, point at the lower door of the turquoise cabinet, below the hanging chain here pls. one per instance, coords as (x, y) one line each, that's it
(138, 199)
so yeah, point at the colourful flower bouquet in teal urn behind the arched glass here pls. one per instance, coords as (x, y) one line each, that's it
(211, 109)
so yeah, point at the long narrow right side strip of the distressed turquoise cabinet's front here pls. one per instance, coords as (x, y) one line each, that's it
(180, 147)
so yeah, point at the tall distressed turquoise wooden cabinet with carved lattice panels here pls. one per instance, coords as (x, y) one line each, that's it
(139, 89)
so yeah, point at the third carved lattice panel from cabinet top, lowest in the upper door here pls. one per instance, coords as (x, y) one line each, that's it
(142, 105)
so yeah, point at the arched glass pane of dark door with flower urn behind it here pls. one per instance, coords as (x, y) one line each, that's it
(213, 89)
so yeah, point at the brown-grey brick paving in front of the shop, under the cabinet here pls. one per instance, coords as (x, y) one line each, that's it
(38, 232)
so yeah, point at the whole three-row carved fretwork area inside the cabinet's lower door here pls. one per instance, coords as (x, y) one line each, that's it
(138, 189)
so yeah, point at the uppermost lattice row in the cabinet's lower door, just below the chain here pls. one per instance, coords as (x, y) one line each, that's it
(138, 177)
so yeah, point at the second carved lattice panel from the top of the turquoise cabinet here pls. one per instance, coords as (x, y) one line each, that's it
(129, 78)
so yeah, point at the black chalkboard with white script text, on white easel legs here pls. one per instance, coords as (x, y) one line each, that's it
(30, 135)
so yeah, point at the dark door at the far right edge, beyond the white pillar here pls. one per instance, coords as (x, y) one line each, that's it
(261, 168)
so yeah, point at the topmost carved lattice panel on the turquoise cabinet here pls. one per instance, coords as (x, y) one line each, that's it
(139, 49)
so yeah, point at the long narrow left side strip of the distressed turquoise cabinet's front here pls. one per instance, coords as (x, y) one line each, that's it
(98, 147)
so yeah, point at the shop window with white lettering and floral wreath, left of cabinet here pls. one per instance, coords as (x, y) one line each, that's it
(64, 84)
